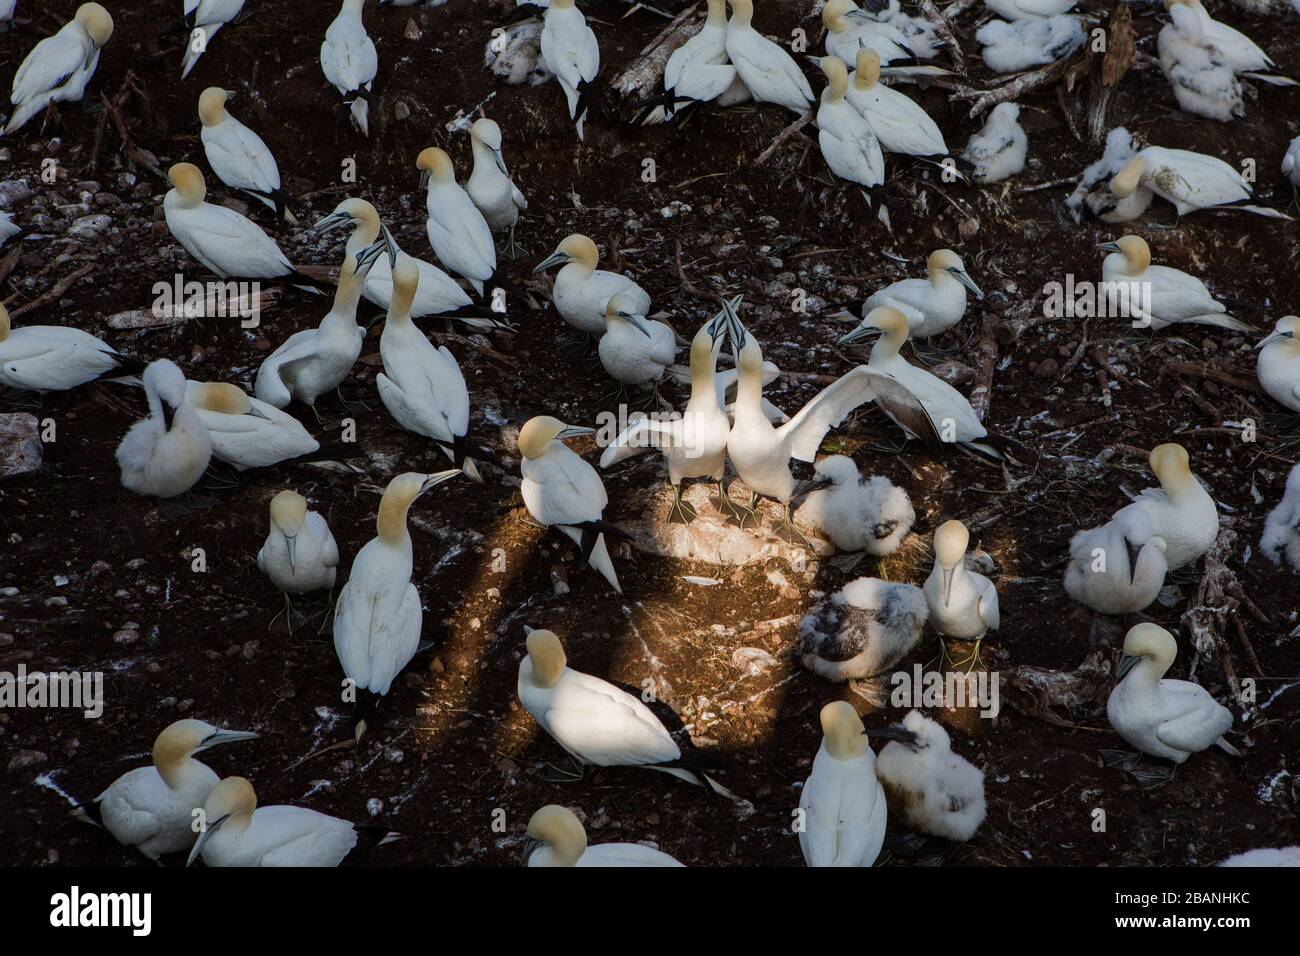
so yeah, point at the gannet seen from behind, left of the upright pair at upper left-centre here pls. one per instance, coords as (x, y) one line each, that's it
(458, 232)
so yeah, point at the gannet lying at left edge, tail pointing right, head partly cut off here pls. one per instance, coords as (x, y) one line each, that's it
(58, 358)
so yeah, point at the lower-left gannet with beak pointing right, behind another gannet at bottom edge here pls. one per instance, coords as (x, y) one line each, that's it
(153, 808)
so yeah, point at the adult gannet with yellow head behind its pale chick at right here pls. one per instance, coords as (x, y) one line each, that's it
(1181, 511)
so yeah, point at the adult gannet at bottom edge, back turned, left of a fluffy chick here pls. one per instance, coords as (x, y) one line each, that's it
(843, 803)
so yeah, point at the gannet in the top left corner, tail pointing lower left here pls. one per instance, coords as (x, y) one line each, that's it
(59, 68)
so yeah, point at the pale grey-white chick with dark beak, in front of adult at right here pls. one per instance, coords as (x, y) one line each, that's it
(1120, 568)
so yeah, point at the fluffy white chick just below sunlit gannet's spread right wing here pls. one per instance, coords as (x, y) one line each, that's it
(859, 517)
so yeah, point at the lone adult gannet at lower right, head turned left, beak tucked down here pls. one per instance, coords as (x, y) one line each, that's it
(1162, 717)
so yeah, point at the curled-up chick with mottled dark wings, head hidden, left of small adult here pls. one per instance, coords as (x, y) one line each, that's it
(864, 630)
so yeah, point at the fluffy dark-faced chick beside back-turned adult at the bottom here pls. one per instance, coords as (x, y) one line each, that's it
(934, 790)
